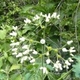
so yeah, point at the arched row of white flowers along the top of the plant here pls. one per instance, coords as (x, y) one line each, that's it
(47, 17)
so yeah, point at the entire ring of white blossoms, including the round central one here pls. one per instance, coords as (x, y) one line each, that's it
(23, 50)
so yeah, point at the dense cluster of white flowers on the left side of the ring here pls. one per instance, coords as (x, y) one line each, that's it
(21, 50)
